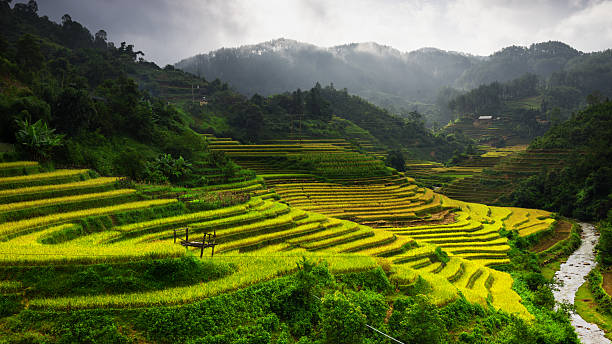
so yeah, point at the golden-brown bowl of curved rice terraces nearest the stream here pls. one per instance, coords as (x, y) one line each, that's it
(467, 230)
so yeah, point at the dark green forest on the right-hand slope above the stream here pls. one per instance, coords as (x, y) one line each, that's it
(583, 187)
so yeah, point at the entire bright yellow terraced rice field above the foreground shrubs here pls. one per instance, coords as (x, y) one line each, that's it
(394, 223)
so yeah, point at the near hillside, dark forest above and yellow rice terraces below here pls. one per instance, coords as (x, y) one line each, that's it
(141, 204)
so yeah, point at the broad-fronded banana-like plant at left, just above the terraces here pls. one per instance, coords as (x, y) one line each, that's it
(37, 139)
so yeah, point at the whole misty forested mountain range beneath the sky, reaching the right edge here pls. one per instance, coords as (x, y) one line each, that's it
(425, 80)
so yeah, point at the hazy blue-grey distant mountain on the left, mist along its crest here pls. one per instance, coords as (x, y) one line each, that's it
(379, 73)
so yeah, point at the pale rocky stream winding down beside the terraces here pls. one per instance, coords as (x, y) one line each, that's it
(573, 274)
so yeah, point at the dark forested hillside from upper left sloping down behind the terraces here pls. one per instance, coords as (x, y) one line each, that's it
(141, 111)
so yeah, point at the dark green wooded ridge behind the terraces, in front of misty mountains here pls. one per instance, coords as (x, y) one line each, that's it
(310, 114)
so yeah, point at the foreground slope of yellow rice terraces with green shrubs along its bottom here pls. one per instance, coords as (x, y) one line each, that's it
(123, 243)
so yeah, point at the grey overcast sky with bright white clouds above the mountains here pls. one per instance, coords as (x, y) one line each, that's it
(169, 30)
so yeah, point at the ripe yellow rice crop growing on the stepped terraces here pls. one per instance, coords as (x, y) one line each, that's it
(280, 229)
